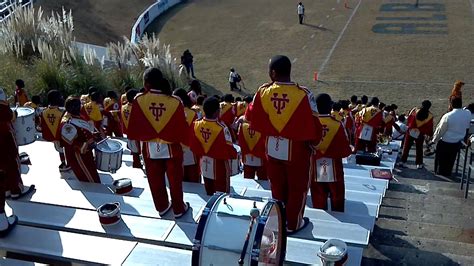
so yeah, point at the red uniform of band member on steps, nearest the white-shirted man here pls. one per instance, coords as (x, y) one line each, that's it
(417, 130)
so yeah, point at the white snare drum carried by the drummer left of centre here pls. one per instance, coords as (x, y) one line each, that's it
(108, 155)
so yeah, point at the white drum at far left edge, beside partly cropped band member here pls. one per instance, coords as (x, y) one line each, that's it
(24, 125)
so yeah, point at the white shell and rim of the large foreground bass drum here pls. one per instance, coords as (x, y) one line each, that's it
(212, 245)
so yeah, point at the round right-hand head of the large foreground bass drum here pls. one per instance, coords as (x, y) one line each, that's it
(272, 227)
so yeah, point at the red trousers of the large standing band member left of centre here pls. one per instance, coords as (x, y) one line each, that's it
(155, 171)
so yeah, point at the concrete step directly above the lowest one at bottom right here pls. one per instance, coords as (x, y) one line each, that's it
(387, 227)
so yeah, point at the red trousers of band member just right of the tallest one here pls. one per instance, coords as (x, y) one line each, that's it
(320, 191)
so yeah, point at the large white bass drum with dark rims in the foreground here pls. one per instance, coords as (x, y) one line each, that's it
(221, 235)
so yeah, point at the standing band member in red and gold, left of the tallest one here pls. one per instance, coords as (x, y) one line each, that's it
(158, 119)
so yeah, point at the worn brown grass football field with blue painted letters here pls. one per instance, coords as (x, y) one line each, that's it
(390, 49)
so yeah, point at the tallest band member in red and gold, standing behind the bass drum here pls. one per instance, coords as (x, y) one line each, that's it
(286, 114)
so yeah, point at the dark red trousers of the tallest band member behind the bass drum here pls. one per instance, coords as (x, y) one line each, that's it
(290, 182)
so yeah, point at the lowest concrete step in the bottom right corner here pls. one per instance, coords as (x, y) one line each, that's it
(390, 255)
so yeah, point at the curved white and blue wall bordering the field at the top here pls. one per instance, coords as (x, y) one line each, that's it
(149, 15)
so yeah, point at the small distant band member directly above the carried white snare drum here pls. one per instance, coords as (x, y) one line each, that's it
(112, 114)
